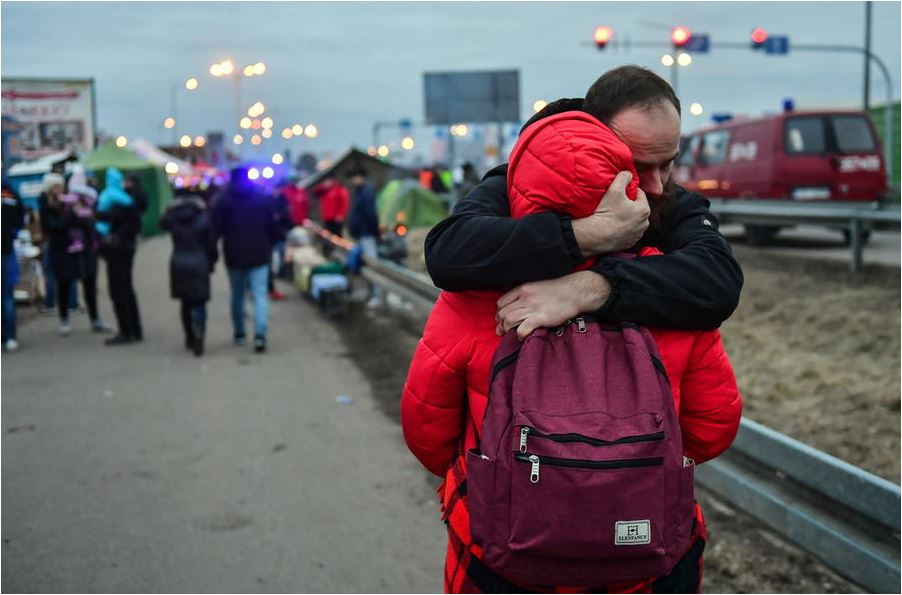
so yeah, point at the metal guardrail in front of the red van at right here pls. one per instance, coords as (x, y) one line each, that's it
(849, 215)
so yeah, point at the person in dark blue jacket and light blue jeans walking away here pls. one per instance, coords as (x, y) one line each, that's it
(244, 218)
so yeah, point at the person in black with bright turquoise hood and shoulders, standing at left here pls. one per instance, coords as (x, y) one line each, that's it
(119, 223)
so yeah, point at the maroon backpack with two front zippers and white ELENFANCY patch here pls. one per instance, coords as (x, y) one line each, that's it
(580, 478)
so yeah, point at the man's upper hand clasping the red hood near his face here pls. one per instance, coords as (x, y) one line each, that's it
(617, 222)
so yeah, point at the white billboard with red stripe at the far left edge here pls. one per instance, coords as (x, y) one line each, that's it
(44, 116)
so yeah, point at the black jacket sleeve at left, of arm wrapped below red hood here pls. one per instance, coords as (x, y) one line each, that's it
(481, 247)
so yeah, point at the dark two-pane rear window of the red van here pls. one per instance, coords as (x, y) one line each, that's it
(828, 134)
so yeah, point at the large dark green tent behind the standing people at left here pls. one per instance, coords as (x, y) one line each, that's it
(153, 179)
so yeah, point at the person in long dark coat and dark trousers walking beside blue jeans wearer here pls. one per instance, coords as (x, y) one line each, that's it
(193, 259)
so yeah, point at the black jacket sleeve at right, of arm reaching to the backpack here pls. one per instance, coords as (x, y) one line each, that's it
(694, 285)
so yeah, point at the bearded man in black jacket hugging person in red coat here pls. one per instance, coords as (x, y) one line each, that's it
(695, 285)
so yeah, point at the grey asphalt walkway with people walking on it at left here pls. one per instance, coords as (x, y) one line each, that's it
(144, 469)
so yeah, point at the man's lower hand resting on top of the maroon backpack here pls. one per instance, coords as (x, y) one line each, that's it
(550, 303)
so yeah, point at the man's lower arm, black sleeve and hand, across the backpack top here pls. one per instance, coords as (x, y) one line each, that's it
(694, 286)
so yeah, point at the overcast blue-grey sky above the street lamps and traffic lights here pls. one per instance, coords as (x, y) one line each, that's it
(345, 65)
